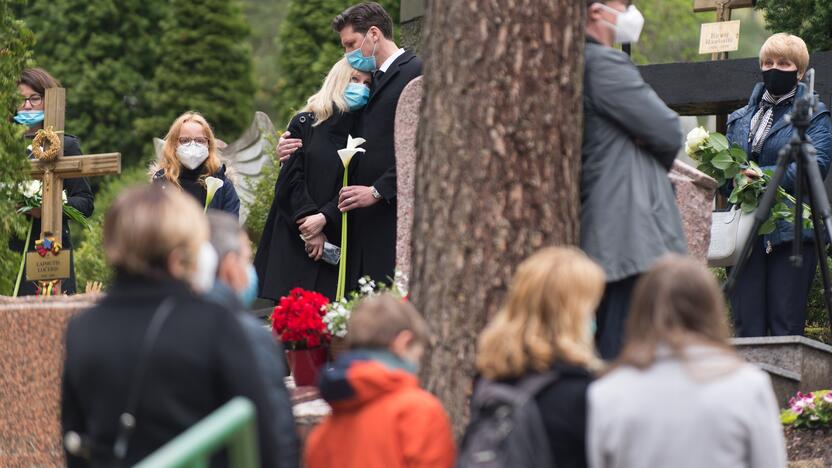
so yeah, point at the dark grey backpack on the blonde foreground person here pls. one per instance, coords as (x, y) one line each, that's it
(506, 428)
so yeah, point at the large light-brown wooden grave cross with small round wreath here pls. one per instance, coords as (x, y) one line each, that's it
(54, 172)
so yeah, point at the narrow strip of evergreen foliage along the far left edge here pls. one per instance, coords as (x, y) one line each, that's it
(15, 43)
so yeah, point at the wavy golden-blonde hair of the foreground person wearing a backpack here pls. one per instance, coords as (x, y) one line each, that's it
(551, 300)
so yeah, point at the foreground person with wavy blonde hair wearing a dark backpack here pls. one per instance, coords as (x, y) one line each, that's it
(536, 358)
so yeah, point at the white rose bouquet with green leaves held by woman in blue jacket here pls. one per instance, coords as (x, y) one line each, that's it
(723, 161)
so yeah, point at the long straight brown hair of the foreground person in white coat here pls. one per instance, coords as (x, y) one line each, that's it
(678, 303)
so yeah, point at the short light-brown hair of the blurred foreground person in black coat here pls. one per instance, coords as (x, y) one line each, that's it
(146, 224)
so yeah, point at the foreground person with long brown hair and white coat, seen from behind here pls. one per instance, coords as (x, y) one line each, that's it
(679, 395)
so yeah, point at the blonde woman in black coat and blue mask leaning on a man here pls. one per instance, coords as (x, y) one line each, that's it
(304, 216)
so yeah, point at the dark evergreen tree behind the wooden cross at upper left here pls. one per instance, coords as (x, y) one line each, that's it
(103, 52)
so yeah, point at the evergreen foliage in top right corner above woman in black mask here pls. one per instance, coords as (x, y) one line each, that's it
(809, 19)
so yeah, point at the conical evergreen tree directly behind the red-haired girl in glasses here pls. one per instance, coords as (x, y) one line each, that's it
(204, 65)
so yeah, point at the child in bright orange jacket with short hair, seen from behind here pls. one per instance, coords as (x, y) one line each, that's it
(380, 417)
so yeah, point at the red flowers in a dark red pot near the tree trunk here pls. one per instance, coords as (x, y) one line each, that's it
(297, 321)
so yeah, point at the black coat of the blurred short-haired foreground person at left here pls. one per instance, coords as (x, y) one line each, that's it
(201, 359)
